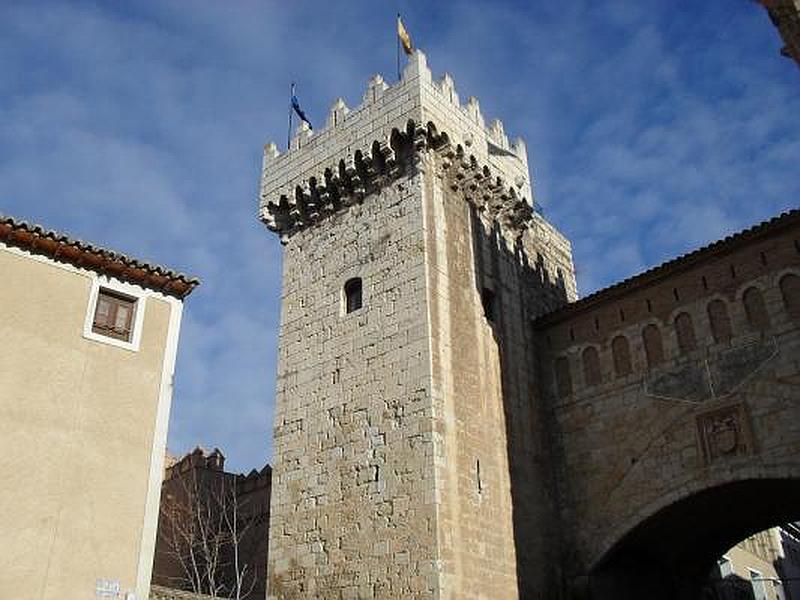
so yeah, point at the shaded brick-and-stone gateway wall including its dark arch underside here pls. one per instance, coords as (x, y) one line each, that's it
(675, 382)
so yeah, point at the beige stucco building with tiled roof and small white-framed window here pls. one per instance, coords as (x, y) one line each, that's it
(89, 339)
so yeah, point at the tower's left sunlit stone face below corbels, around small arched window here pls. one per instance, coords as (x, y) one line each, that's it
(354, 495)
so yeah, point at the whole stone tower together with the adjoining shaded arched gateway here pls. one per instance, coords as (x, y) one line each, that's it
(451, 423)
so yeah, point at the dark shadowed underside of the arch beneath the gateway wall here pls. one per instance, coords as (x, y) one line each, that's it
(669, 554)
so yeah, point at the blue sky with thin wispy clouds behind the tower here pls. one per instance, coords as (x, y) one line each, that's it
(652, 128)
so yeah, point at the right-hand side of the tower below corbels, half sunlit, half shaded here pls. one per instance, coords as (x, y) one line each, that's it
(497, 517)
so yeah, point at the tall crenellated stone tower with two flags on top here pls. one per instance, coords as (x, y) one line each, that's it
(410, 451)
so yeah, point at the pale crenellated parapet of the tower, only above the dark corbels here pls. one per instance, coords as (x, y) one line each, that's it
(387, 109)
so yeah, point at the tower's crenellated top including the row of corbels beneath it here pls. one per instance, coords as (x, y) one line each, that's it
(361, 148)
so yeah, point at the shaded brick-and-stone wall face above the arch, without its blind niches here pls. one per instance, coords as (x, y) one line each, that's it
(635, 443)
